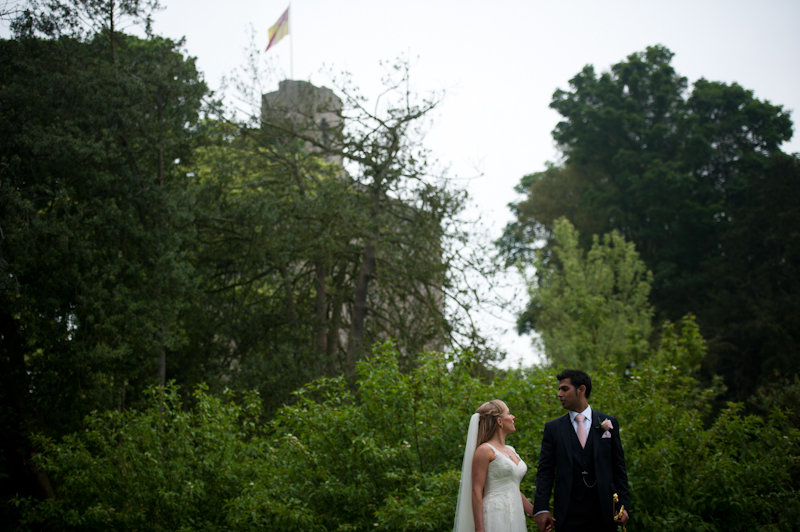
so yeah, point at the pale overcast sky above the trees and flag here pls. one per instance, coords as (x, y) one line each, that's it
(499, 64)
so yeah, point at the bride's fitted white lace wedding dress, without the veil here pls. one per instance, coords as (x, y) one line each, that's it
(502, 503)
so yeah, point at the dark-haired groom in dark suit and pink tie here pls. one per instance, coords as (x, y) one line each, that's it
(582, 453)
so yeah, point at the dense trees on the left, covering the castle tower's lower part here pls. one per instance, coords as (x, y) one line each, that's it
(148, 237)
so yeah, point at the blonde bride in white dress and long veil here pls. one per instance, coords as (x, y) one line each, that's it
(489, 498)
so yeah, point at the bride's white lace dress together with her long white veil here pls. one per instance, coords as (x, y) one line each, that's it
(502, 502)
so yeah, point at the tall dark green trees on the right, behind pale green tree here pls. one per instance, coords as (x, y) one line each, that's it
(697, 181)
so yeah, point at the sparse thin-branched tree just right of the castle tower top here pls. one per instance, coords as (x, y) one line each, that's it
(392, 274)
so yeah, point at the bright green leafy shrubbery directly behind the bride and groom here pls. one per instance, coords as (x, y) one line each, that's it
(387, 455)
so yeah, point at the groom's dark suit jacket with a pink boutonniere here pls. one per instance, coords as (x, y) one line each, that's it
(555, 464)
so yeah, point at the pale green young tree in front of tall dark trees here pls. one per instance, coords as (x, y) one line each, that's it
(590, 308)
